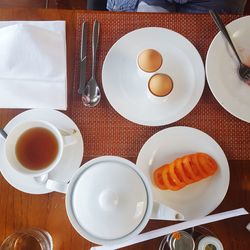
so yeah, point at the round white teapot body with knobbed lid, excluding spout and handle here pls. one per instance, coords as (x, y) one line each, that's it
(109, 200)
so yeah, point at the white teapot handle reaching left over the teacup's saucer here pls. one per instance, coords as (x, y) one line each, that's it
(53, 185)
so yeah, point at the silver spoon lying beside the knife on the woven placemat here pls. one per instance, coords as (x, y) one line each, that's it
(91, 95)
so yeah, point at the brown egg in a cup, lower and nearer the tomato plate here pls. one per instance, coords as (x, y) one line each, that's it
(160, 85)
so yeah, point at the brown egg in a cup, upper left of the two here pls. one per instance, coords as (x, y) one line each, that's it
(150, 60)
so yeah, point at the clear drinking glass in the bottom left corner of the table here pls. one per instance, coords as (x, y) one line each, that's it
(30, 239)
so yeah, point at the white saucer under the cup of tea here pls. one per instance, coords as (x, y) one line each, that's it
(69, 163)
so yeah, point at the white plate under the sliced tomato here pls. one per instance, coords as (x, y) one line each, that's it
(197, 199)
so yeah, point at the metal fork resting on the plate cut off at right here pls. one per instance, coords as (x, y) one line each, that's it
(244, 70)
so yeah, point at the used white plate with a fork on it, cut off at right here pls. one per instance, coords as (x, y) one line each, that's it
(221, 69)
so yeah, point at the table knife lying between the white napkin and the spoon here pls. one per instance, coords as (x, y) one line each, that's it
(83, 58)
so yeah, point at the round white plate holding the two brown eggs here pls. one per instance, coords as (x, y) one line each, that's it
(126, 90)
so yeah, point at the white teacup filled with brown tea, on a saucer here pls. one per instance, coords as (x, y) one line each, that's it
(29, 131)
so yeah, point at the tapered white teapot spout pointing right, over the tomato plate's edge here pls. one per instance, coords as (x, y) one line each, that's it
(162, 212)
